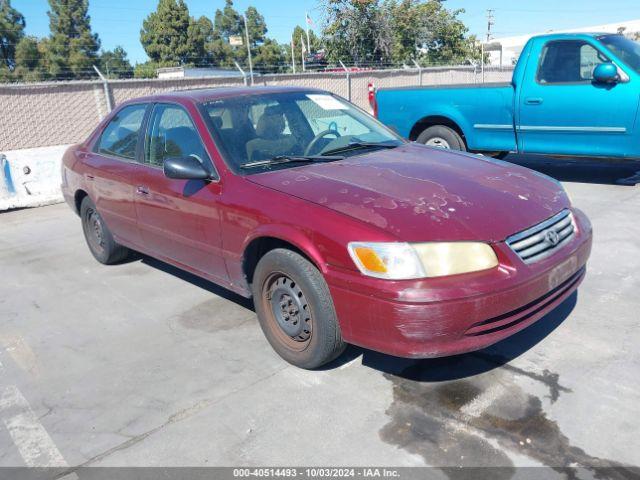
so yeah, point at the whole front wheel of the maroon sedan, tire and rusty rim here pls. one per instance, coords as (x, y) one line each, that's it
(284, 280)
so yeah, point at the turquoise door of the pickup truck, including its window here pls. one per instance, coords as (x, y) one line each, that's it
(563, 111)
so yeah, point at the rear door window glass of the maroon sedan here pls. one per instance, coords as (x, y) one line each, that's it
(120, 137)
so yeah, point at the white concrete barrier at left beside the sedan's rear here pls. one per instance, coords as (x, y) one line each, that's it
(30, 177)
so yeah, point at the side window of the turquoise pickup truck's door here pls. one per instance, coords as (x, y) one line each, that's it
(568, 61)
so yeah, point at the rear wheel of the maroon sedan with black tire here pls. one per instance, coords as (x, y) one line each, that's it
(99, 239)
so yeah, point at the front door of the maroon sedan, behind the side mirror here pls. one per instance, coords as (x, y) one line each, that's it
(179, 220)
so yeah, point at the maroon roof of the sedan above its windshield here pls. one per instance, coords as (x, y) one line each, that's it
(207, 94)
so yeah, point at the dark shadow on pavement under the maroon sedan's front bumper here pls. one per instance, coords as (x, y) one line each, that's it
(466, 365)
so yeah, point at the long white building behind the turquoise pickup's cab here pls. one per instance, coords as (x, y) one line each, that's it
(509, 48)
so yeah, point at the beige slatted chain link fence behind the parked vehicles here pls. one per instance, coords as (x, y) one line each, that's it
(57, 113)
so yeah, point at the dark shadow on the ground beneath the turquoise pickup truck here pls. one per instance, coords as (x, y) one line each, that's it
(583, 170)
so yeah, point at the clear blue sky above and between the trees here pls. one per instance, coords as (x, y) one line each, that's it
(118, 22)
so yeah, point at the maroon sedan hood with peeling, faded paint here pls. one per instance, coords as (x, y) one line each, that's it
(419, 193)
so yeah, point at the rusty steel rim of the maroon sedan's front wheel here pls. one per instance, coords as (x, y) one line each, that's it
(288, 311)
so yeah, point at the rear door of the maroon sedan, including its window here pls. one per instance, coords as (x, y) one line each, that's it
(109, 169)
